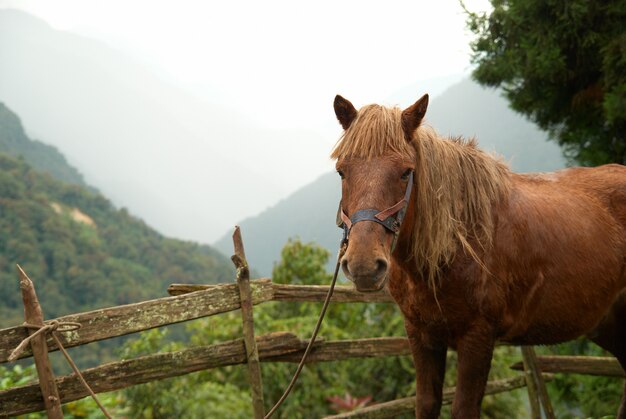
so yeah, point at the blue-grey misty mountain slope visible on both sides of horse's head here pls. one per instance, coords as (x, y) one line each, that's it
(463, 109)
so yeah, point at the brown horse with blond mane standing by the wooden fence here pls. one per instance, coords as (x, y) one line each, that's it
(483, 254)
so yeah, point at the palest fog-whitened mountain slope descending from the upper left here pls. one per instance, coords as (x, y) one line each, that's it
(147, 145)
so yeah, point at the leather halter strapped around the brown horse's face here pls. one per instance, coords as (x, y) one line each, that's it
(390, 218)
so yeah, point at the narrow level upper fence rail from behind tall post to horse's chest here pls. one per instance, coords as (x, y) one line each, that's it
(303, 293)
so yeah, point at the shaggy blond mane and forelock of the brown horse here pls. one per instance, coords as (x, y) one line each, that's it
(456, 185)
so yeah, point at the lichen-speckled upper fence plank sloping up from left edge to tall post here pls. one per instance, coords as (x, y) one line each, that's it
(122, 320)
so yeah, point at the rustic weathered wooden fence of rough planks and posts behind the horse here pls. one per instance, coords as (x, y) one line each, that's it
(190, 302)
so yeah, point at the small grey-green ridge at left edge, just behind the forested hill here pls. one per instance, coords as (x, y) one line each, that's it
(43, 157)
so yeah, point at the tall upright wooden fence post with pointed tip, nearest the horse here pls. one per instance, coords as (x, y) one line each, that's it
(245, 295)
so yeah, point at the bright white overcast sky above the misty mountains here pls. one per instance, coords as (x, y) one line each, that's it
(282, 61)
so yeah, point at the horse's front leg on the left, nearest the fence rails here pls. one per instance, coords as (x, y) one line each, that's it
(430, 369)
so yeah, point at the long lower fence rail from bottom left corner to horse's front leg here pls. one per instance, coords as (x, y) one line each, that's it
(119, 375)
